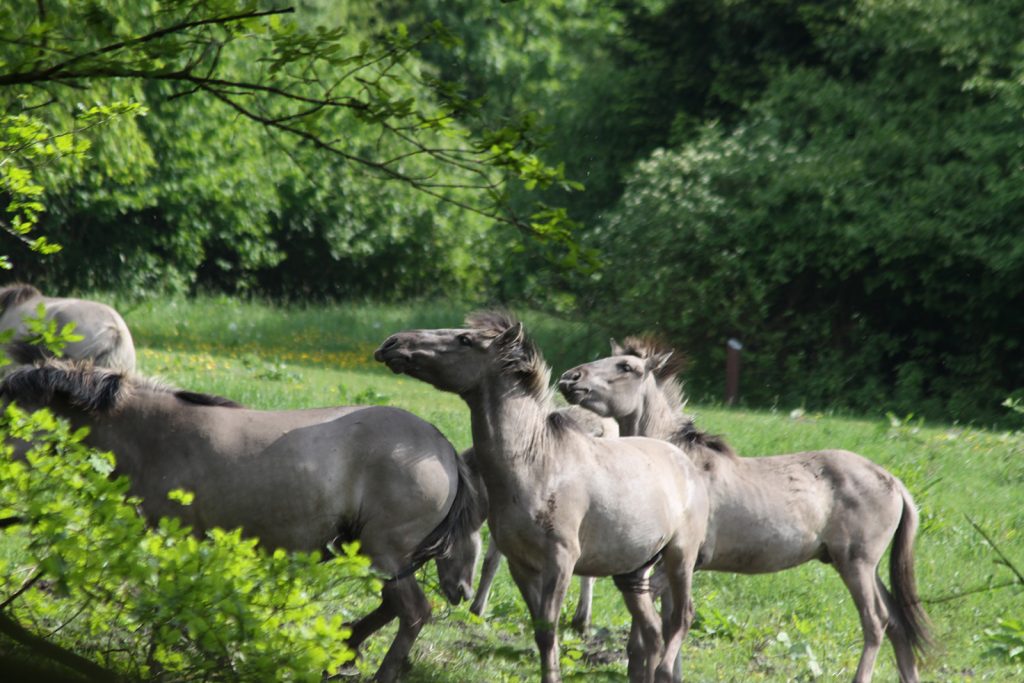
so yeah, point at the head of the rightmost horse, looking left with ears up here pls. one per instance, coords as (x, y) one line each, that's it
(613, 388)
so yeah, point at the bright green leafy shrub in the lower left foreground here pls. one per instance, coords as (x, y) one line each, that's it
(82, 572)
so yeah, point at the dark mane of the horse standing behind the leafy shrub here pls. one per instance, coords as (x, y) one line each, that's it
(90, 389)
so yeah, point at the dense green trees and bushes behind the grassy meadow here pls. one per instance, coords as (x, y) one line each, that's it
(838, 185)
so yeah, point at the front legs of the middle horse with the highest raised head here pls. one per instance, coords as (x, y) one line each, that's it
(545, 593)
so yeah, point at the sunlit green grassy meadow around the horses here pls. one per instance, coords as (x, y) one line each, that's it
(794, 626)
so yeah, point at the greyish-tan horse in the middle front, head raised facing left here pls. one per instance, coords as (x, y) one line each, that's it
(562, 501)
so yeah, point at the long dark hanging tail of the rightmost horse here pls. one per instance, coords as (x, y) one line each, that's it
(907, 610)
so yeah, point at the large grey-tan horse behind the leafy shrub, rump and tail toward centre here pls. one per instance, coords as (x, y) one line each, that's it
(295, 480)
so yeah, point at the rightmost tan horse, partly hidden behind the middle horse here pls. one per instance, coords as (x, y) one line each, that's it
(770, 515)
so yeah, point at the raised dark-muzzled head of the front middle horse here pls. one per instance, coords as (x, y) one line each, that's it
(460, 360)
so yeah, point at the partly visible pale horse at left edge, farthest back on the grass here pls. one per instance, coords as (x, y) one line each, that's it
(106, 339)
